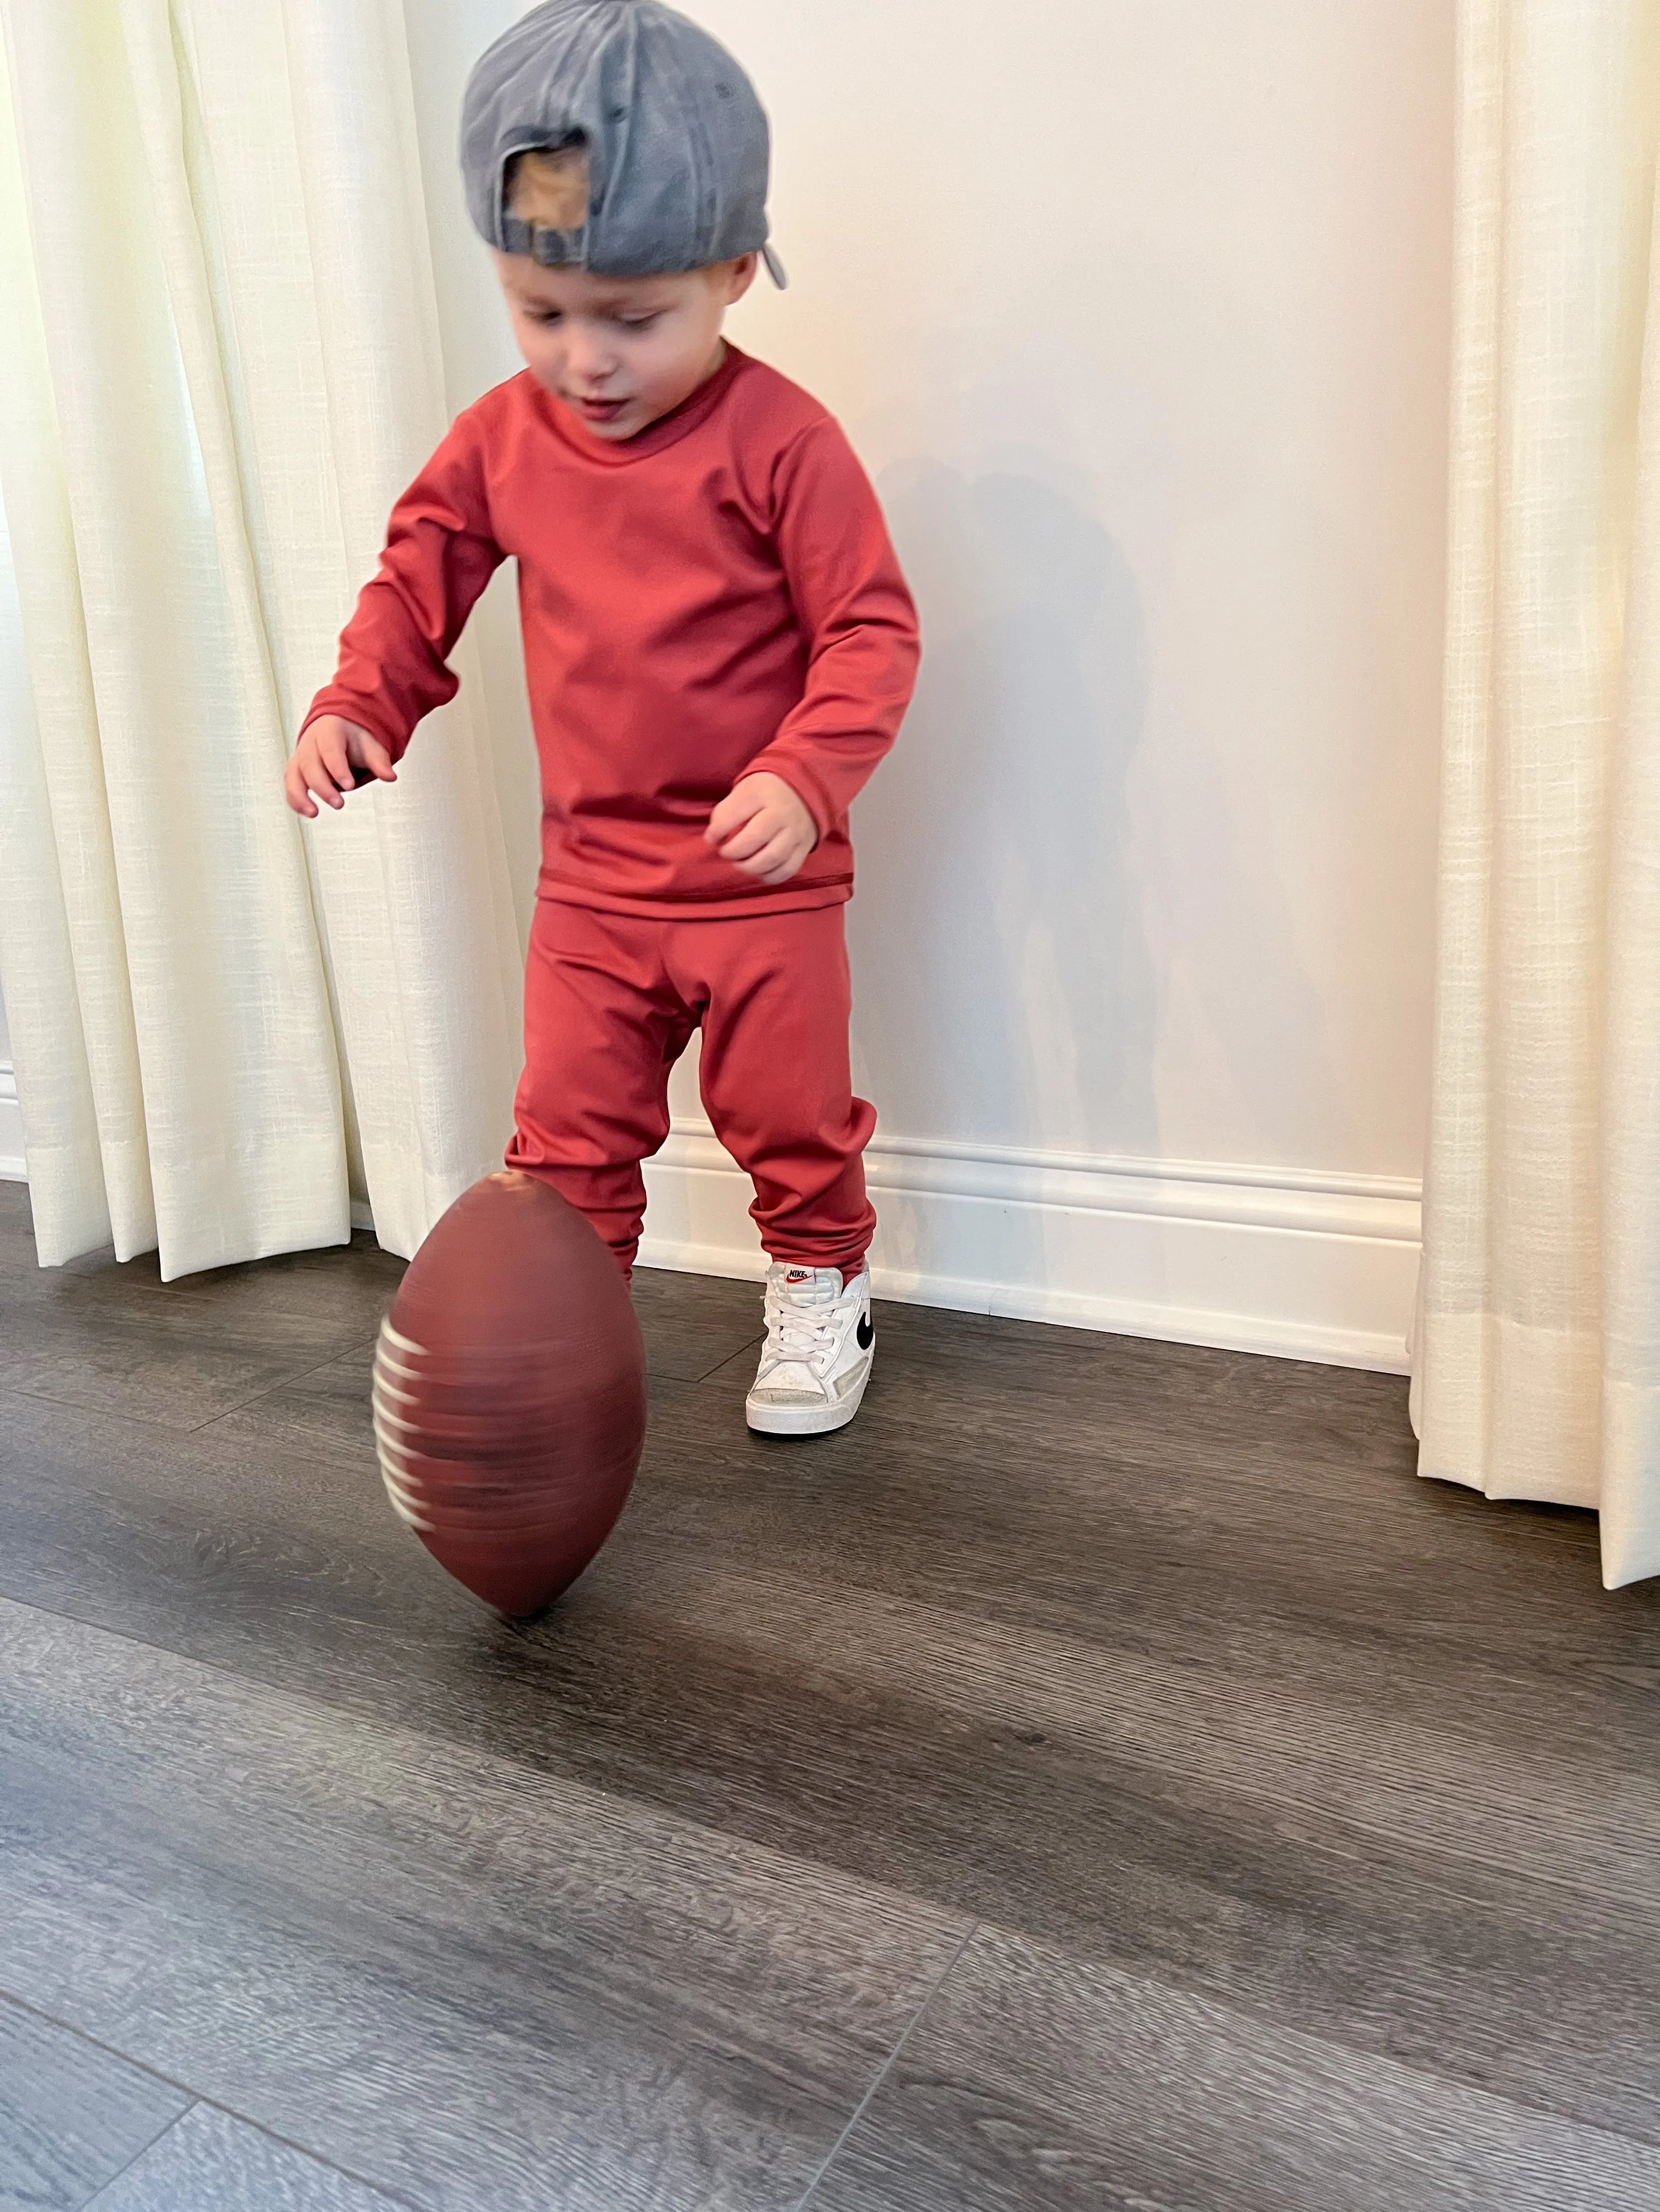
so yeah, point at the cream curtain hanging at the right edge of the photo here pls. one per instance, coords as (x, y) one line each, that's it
(1537, 1361)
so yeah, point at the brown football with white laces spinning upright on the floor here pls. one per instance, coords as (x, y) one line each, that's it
(510, 1395)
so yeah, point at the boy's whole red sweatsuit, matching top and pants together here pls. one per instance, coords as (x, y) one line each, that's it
(705, 601)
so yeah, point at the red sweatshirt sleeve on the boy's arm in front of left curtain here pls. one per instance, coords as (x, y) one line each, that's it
(439, 556)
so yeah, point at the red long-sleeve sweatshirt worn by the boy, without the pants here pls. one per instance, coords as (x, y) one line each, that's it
(709, 598)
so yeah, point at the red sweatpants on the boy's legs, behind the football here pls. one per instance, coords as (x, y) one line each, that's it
(612, 1003)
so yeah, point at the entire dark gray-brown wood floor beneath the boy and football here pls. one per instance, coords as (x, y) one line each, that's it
(1103, 1777)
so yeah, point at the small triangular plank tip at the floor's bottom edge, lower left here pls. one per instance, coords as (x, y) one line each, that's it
(211, 2162)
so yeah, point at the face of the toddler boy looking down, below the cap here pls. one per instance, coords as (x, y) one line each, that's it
(621, 351)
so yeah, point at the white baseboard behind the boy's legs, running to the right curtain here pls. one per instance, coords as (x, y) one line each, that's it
(1254, 1260)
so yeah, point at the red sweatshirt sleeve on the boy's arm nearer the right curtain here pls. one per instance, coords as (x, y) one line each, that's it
(860, 623)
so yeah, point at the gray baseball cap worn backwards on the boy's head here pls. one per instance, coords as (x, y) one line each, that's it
(674, 134)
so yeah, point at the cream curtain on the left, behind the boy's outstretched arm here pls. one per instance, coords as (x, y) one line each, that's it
(220, 364)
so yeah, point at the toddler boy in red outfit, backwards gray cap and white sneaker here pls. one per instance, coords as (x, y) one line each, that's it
(718, 645)
